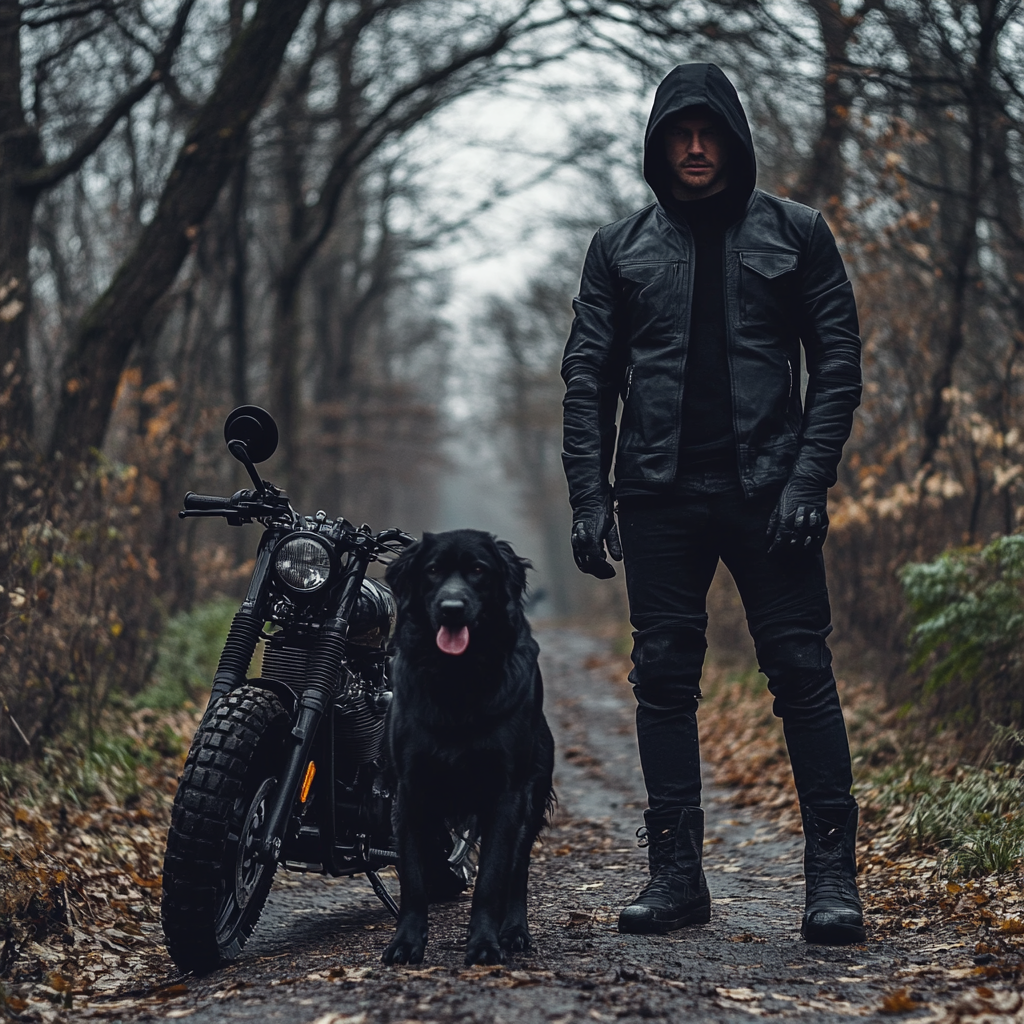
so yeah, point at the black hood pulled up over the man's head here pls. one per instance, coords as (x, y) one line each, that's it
(699, 86)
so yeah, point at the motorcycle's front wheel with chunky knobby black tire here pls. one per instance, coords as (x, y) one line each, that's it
(215, 887)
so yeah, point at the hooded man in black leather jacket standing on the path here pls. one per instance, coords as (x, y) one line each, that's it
(694, 312)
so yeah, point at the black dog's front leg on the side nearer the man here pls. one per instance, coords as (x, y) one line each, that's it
(498, 842)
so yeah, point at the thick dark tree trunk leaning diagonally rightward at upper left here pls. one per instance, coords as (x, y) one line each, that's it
(212, 150)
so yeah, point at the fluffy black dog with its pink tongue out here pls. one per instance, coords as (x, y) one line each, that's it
(467, 734)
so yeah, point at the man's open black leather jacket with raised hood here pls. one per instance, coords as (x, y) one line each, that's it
(786, 285)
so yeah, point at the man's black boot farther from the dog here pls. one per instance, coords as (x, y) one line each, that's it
(834, 915)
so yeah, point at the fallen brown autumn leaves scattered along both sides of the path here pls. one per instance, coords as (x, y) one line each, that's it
(80, 883)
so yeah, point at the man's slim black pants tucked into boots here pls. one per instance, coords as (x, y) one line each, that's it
(672, 546)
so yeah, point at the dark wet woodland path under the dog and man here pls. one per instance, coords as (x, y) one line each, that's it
(316, 956)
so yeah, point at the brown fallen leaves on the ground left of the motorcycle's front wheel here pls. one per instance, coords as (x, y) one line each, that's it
(80, 880)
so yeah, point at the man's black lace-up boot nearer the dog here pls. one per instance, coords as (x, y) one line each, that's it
(677, 893)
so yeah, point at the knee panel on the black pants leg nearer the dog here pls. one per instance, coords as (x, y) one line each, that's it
(667, 666)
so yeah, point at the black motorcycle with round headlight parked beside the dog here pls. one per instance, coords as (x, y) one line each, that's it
(288, 769)
